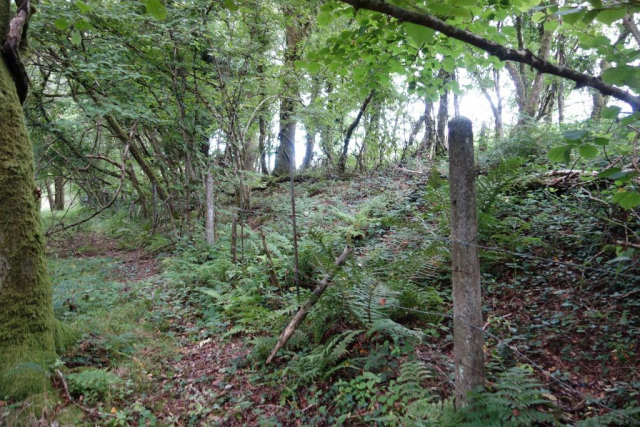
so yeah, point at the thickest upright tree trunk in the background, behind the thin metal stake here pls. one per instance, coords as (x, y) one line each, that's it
(285, 159)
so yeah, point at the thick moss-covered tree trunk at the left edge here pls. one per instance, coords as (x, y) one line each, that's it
(27, 326)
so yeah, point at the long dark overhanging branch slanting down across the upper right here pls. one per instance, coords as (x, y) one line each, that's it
(498, 50)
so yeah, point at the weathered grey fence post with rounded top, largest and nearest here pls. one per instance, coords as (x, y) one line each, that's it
(467, 296)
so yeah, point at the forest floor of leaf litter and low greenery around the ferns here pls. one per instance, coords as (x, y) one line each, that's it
(153, 352)
